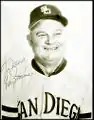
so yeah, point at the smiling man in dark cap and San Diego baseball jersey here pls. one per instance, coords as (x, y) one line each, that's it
(43, 87)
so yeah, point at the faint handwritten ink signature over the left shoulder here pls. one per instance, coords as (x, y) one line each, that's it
(12, 71)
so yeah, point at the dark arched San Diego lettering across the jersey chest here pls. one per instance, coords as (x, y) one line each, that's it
(56, 101)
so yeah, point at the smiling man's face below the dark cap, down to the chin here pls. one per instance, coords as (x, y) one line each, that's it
(47, 41)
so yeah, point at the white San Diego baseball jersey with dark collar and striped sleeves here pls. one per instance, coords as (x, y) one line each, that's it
(28, 94)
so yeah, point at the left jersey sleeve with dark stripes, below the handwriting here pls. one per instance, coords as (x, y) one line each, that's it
(8, 94)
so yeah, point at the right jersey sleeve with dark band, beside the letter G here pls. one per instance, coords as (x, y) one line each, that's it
(86, 102)
